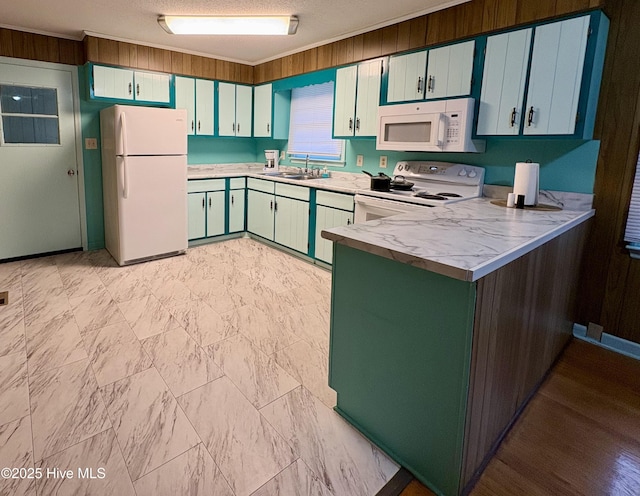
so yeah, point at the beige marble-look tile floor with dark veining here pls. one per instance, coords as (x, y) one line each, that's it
(203, 374)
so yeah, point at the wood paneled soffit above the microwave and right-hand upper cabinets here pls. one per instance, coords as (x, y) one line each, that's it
(463, 21)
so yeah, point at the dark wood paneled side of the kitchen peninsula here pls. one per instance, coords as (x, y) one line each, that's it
(524, 318)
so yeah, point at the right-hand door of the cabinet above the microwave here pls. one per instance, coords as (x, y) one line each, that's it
(449, 70)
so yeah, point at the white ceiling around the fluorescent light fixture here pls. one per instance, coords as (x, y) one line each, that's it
(136, 21)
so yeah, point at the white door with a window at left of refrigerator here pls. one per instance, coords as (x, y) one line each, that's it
(39, 201)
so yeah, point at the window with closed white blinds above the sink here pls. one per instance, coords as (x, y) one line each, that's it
(311, 123)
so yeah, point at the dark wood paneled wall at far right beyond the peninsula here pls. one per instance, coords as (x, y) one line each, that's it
(611, 279)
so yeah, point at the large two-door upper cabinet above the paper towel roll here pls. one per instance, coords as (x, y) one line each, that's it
(563, 79)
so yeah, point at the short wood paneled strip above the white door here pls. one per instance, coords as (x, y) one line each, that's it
(21, 45)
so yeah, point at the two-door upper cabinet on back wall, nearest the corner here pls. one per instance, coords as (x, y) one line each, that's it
(235, 102)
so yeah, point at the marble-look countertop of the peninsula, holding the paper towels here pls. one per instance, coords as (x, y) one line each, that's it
(465, 240)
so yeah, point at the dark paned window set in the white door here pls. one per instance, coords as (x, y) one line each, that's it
(29, 115)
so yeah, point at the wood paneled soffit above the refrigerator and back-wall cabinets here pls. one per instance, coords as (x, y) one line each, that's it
(104, 51)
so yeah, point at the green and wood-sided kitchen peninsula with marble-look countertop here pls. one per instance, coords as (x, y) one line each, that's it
(443, 324)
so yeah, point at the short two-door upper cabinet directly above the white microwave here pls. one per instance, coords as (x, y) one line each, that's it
(447, 74)
